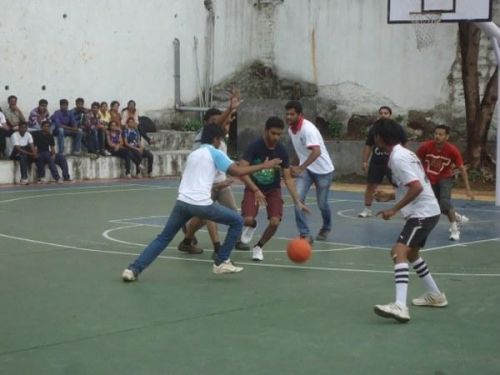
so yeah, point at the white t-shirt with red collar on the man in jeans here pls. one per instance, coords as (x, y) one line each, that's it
(306, 137)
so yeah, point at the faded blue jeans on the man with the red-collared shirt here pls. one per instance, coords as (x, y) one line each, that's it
(322, 182)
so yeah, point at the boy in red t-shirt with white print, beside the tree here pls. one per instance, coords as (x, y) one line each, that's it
(440, 158)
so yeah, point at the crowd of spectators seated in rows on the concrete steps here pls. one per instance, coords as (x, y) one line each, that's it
(101, 130)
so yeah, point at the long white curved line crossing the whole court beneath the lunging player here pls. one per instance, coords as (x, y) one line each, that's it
(253, 264)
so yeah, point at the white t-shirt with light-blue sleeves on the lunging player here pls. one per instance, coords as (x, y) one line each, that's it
(201, 169)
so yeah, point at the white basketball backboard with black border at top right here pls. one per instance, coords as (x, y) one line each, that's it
(399, 11)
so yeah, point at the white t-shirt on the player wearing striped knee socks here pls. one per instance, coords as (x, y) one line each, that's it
(406, 167)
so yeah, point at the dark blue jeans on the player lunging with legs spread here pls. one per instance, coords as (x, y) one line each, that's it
(180, 215)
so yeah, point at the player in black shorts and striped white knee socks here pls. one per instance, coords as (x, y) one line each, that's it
(421, 211)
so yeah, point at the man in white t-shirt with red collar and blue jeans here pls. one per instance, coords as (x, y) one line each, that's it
(315, 167)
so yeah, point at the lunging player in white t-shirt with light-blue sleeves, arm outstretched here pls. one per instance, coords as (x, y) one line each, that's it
(195, 200)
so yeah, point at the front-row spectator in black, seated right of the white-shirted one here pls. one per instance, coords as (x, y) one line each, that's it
(45, 145)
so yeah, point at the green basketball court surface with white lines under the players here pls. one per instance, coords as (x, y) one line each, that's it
(65, 309)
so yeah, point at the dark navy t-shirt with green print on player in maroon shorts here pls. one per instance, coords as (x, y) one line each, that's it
(256, 153)
